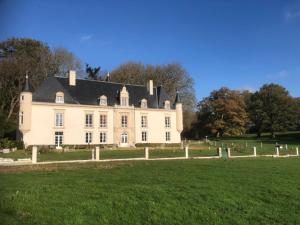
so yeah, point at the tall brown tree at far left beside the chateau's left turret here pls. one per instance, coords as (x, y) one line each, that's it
(20, 57)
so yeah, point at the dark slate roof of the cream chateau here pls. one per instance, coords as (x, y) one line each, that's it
(87, 92)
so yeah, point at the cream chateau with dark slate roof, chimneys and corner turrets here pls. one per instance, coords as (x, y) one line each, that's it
(70, 111)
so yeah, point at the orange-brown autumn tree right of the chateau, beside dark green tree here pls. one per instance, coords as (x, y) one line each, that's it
(223, 113)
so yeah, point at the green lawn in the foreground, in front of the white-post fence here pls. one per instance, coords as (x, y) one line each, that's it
(239, 191)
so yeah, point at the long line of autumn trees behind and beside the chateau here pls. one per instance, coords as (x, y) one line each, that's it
(224, 113)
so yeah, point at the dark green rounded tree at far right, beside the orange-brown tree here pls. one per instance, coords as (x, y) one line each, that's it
(272, 109)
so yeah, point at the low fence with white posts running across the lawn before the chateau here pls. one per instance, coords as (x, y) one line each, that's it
(96, 156)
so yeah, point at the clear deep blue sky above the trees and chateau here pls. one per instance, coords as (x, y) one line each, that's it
(238, 44)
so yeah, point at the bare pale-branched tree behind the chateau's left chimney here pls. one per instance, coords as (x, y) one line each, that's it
(63, 61)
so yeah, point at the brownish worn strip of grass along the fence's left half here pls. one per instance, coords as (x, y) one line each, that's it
(61, 166)
